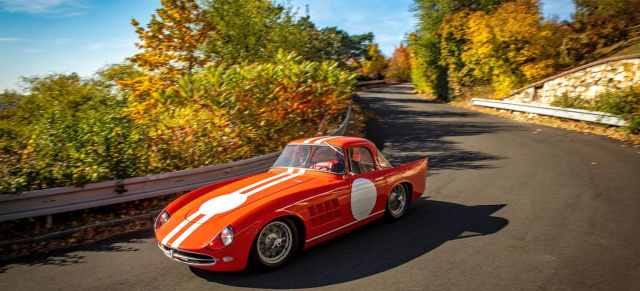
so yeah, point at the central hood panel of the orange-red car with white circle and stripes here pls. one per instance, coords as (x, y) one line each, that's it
(244, 193)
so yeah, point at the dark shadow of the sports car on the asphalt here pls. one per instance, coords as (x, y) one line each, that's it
(373, 249)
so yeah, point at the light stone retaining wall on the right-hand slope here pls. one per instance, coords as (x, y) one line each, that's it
(587, 81)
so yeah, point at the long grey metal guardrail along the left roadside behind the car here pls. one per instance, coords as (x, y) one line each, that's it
(64, 199)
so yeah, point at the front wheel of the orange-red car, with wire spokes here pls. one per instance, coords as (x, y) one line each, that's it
(274, 245)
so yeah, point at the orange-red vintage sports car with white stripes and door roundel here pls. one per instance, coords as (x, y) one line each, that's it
(318, 189)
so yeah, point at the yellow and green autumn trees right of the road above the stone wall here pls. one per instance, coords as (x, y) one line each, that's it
(461, 47)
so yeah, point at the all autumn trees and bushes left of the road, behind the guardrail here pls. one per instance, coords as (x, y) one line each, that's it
(215, 81)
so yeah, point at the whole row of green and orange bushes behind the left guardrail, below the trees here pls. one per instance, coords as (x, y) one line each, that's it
(74, 131)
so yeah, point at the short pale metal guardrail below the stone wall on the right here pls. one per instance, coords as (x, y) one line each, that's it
(577, 114)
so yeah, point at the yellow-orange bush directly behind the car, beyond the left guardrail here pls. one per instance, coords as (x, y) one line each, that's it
(225, 113)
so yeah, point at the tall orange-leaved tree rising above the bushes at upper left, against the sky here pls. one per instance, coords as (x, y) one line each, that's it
(171, 47)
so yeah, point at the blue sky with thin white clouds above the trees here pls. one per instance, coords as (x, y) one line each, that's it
(39, 37)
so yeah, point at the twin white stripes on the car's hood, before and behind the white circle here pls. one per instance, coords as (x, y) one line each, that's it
(287, 175)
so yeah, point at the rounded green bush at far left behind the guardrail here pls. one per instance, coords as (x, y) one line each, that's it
(67, 131)
